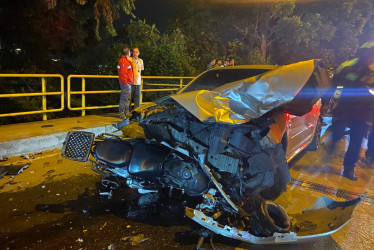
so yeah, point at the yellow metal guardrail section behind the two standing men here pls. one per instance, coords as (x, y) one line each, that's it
(83, 92)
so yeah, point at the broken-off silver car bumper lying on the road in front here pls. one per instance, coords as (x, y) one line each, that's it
(325, 217)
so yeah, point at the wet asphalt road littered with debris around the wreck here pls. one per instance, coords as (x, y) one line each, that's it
(55, 204)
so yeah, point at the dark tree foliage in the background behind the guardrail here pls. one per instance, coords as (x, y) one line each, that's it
(87, 36)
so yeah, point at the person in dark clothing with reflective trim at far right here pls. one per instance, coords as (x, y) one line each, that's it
(354, 105)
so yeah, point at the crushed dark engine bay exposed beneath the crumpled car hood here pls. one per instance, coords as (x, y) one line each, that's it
(234, 149)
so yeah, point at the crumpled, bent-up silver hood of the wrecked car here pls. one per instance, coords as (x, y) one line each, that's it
(240, 101)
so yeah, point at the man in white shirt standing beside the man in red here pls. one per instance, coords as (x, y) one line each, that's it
(138, 67)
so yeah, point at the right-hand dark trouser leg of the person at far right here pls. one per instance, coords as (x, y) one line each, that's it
(358, 131)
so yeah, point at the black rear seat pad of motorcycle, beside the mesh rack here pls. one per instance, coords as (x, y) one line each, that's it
(113, 152)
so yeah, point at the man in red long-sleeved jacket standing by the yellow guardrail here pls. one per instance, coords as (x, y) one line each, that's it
(126, 80)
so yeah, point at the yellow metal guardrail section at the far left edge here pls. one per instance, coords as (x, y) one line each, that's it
(44, 94)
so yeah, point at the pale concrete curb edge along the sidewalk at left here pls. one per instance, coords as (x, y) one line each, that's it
(46, 142)
